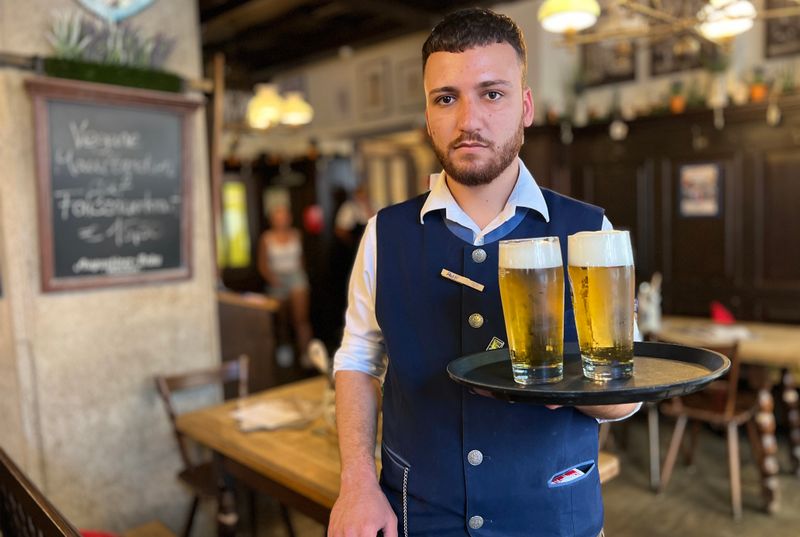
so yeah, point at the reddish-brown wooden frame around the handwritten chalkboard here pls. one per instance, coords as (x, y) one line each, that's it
(45, 89)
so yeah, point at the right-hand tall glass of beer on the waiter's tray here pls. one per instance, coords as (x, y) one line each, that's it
(602, 278)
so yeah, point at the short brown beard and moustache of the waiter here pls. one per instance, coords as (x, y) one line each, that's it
(475, 173)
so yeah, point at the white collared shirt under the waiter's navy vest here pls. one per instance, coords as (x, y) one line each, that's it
(362, 346)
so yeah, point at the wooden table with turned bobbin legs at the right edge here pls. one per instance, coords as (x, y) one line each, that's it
(772, 346)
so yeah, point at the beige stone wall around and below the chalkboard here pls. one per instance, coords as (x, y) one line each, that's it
(77, 400)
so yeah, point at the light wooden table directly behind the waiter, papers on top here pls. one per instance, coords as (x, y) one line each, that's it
(299, 467)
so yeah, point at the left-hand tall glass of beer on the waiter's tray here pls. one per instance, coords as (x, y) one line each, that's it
(531, 278)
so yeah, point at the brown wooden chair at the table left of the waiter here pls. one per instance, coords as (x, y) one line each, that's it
(202, 477)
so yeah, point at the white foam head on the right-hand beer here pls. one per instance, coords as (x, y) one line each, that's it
(600, 249)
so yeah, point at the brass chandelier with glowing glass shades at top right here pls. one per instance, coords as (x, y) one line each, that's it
(719, 21)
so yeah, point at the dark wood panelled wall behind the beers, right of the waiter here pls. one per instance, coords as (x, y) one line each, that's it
(748, 256)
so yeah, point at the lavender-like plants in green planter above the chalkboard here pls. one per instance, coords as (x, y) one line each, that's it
(105, 52)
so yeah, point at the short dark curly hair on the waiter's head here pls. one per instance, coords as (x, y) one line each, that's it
(475, 27)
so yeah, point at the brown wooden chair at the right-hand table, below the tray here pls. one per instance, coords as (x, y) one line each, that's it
(721, 404)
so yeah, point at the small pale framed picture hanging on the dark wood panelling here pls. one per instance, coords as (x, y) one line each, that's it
(700, 190)
